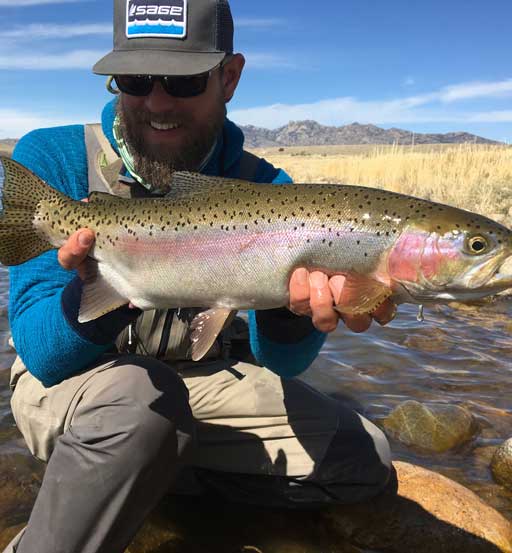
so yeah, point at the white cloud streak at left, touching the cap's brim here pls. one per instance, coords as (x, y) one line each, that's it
(77, 59)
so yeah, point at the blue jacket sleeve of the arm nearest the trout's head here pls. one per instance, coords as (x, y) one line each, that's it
(281, 341)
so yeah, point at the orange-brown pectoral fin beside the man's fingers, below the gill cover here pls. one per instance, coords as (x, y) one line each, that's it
(361, 294)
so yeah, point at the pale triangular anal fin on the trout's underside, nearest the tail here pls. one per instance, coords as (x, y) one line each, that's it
(99, 297)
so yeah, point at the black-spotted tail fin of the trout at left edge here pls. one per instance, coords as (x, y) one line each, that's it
(21, 192)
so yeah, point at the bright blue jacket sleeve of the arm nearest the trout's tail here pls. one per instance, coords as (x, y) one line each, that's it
(50, 343)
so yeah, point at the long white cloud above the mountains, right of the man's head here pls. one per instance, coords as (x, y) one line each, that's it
(431, 107)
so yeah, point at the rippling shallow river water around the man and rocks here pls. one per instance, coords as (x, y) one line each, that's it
(458, 355)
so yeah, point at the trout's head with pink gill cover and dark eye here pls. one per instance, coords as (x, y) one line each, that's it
(457, 256)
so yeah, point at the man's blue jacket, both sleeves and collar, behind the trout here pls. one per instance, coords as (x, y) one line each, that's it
(43, 302)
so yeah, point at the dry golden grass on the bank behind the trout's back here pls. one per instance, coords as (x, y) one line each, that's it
(474, 177)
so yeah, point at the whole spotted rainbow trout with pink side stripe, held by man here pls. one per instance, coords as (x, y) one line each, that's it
(229, 244)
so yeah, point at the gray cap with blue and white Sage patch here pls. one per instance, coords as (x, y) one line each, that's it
(168, 37)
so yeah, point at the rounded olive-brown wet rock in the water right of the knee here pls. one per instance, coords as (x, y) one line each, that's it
(436, 428)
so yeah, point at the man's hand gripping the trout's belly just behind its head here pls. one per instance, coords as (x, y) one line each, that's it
(315, 294)
